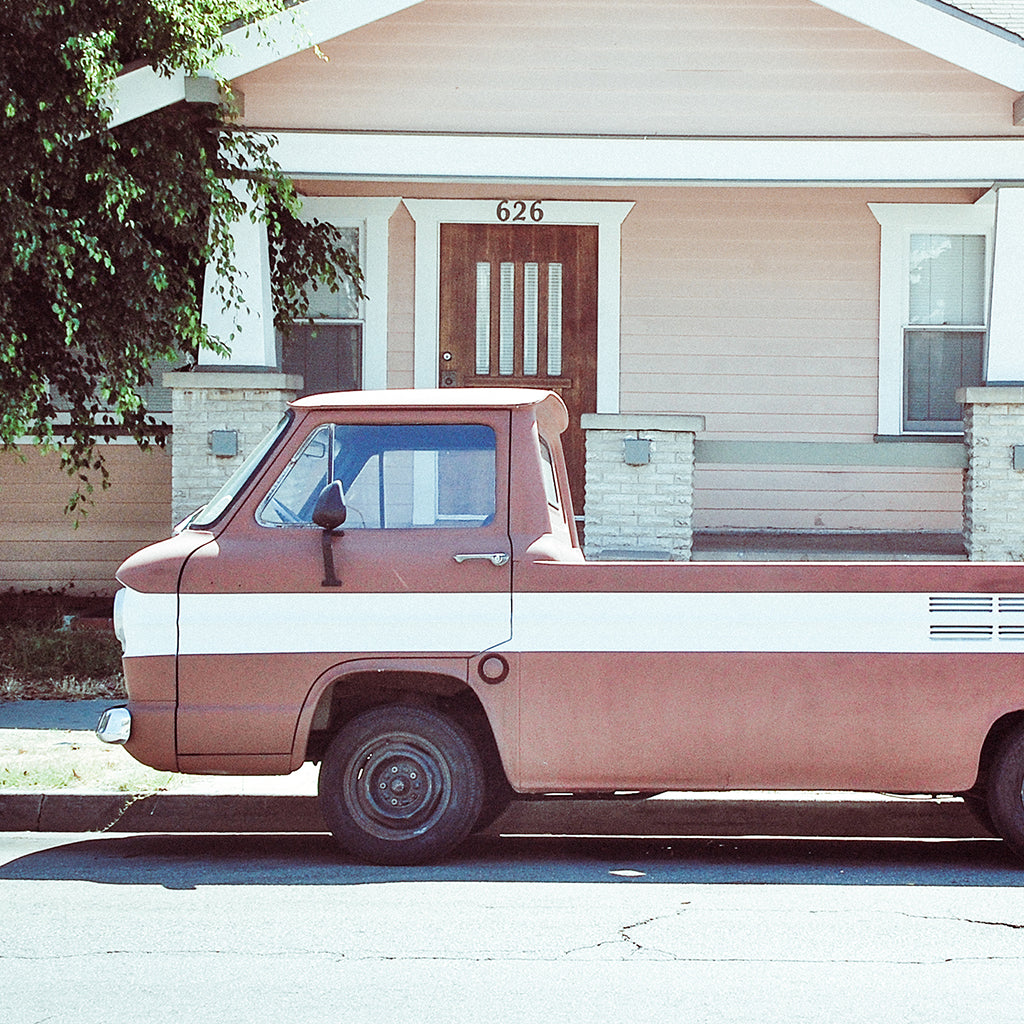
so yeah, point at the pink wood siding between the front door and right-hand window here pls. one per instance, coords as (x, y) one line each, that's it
(757, 309)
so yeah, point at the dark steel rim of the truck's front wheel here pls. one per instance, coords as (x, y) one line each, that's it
(398, 786)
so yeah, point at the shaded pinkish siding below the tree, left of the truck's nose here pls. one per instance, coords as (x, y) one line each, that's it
(40, 547)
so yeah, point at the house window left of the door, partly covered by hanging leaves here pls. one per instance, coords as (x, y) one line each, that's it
(328, 353)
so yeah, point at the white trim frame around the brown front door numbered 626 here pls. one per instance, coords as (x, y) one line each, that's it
(431, 215)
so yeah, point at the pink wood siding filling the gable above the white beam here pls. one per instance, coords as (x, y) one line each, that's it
(673, 67)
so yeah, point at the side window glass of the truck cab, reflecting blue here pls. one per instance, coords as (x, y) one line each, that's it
(394, 477)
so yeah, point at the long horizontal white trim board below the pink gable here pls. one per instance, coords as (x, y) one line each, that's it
(370, 156)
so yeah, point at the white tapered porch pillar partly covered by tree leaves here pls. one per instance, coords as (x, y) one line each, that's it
(247, 331)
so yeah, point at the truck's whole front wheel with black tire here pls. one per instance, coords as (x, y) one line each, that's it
(401, 786)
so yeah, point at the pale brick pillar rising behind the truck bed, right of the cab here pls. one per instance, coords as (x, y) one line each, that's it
(639, 497)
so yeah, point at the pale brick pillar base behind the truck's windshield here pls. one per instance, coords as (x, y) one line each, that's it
(218, 414)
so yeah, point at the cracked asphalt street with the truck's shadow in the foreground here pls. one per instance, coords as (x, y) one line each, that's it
(284, 928)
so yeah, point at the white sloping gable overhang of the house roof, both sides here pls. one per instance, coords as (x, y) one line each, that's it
(932, 26)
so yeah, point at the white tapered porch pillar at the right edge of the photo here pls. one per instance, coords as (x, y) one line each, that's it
(1006, 333)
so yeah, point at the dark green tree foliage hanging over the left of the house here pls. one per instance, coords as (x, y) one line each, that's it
(107, 232)
